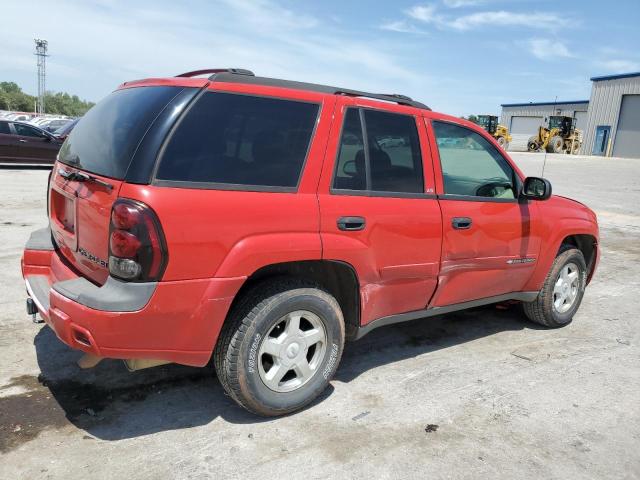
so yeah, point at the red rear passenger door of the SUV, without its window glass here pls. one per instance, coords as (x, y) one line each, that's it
(397, 255)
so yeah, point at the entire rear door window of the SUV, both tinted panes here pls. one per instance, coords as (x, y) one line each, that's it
(392, 153)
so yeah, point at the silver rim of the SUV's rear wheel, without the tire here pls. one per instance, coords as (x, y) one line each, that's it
(291, 353)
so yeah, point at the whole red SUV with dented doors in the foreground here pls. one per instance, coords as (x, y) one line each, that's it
(262, 222)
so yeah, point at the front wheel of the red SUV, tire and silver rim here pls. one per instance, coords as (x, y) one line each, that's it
(562, 291)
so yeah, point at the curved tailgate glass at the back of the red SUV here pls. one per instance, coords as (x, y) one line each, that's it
(106, 138)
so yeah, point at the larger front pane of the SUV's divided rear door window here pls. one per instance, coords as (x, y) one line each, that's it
(394, 152)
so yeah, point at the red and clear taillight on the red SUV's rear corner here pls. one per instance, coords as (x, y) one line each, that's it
(137, 250)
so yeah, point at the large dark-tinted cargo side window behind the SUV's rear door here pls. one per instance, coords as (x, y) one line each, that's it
(240, 140)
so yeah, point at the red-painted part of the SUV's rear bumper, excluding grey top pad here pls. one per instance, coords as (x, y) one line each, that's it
(180, 323)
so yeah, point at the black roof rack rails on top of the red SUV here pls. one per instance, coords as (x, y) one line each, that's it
(240, 75)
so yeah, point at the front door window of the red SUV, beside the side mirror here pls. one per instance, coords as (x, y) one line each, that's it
(471, 165)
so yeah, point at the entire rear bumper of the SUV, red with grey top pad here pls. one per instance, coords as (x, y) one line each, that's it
(177, 321)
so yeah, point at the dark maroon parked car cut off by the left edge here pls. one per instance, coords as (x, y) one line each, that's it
(22, 143)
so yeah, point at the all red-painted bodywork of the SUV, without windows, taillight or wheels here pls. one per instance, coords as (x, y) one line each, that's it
(407, 258)
